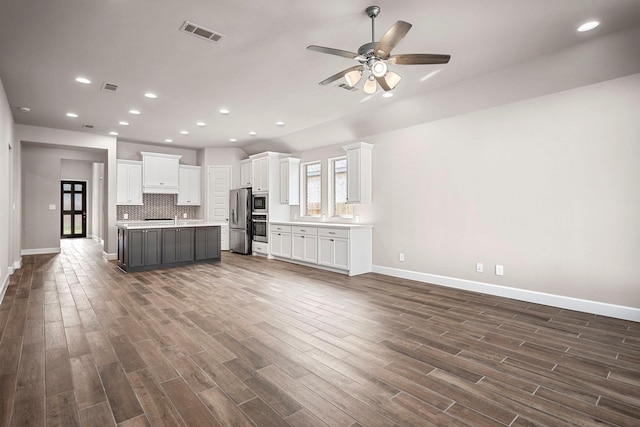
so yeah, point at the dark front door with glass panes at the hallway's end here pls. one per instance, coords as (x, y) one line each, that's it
(74, 209)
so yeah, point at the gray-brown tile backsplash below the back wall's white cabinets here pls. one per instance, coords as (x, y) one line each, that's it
(157, 206)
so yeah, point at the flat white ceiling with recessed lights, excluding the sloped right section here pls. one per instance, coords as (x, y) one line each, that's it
(261, 70)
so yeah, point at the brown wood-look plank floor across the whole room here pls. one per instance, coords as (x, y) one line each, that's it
(248, 341)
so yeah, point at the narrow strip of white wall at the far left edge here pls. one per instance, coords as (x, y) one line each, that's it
(6, 199)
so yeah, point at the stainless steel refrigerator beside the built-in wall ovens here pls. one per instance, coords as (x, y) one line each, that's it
(240, 221)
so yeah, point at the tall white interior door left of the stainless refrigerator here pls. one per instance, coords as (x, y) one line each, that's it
(219, 185)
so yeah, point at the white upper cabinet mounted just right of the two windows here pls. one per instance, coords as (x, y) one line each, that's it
(359, 172)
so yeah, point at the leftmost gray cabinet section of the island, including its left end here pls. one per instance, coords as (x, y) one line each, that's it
(139, 248)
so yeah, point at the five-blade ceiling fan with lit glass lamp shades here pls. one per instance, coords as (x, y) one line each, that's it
(374, 57)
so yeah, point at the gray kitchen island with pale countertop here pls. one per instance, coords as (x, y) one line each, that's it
(148, 245)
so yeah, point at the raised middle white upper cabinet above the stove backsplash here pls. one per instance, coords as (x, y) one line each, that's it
(160, 173)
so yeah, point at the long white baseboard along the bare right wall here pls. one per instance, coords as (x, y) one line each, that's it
(560, 301)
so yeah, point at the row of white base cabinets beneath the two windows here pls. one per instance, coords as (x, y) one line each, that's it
(343, 248)
